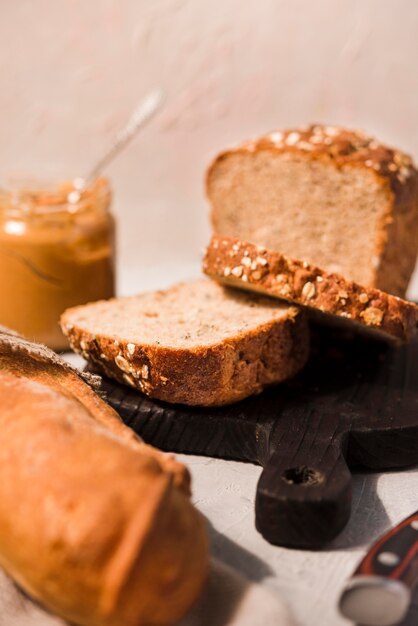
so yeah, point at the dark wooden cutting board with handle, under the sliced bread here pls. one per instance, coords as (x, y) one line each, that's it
(354, 406)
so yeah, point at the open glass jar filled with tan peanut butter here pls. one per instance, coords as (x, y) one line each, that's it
(56, 251)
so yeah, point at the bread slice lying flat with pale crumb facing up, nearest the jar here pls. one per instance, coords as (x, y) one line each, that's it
(195, 343)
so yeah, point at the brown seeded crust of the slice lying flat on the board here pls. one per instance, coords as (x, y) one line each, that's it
(212, 375)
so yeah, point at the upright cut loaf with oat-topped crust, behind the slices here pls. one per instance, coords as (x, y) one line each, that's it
(332, 197)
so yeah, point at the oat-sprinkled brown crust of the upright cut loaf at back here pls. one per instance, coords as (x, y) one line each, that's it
(396, 239)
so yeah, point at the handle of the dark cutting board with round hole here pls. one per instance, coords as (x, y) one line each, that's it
(303, 505)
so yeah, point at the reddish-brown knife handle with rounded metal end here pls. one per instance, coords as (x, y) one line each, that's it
(379, 592)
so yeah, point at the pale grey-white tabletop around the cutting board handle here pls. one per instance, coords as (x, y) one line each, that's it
(310, 581)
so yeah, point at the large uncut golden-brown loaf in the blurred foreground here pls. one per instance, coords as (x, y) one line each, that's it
(94, 524)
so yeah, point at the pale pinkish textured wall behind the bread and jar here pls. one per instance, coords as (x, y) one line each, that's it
(71, 72)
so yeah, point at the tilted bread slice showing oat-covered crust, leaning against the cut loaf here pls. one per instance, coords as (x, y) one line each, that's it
(254, 268)
